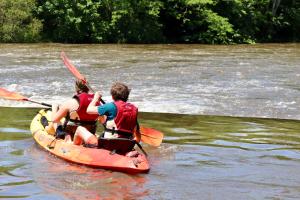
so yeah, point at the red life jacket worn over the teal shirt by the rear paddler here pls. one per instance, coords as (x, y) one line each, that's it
(126, 119)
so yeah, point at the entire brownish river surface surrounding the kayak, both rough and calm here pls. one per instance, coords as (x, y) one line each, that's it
(229, 115)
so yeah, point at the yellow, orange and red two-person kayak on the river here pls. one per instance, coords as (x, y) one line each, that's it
(132, 162)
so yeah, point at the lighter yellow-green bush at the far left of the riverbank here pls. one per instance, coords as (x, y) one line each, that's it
(17, 23)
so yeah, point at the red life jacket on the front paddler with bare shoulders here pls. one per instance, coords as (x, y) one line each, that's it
(84, 99)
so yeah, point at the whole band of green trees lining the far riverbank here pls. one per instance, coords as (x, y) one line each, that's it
(150, 21)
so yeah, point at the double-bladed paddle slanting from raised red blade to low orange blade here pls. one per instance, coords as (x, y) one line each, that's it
(148, 135)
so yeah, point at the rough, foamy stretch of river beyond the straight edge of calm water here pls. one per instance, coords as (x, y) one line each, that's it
(224, 80)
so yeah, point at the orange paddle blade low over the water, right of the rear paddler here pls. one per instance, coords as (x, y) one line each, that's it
(151, 136)
